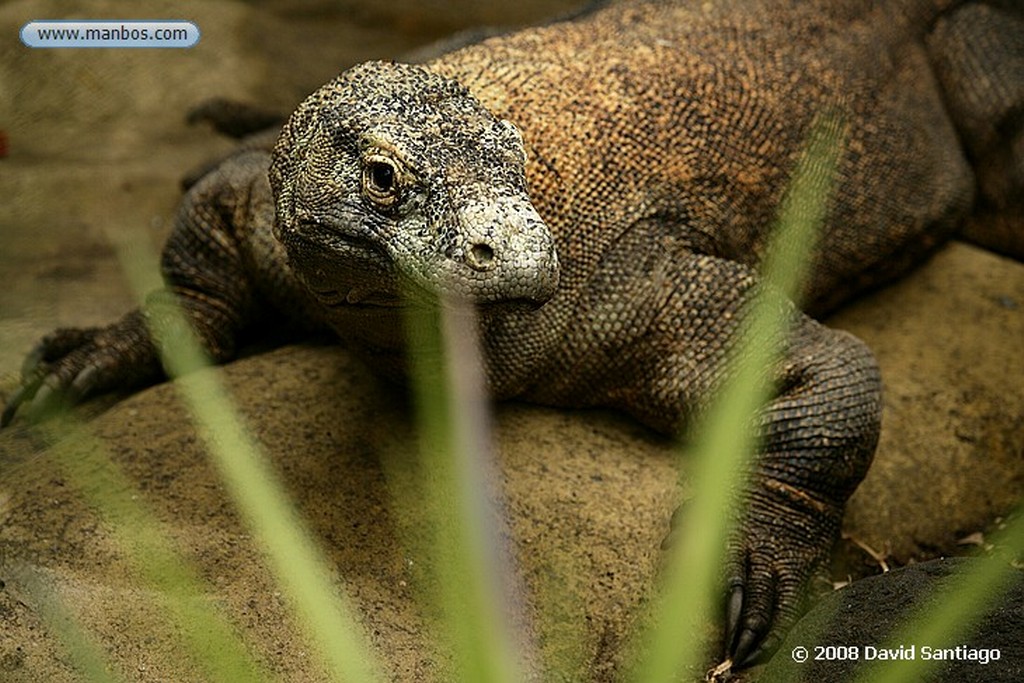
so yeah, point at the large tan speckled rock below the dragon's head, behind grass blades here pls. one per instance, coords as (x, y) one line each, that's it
(587, 498)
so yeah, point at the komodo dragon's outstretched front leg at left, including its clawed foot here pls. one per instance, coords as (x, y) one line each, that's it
(206, 276)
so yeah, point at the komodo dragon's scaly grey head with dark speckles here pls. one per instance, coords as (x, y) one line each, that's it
(392, 179)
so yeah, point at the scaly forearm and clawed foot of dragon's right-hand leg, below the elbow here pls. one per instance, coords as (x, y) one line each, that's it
(818, 437)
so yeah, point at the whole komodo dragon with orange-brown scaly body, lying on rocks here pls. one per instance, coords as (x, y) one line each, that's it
(603, 189)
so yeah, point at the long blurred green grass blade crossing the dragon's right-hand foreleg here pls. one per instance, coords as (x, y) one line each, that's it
(724, 444)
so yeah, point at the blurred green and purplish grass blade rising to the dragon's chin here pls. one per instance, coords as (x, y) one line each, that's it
(455, 453)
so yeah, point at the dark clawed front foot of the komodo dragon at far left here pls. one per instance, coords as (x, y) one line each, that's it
(70, 365)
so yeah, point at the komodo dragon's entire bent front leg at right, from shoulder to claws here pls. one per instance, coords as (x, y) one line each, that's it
(661, 333)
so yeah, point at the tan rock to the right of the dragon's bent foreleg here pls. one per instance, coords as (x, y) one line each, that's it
(952, 455)
